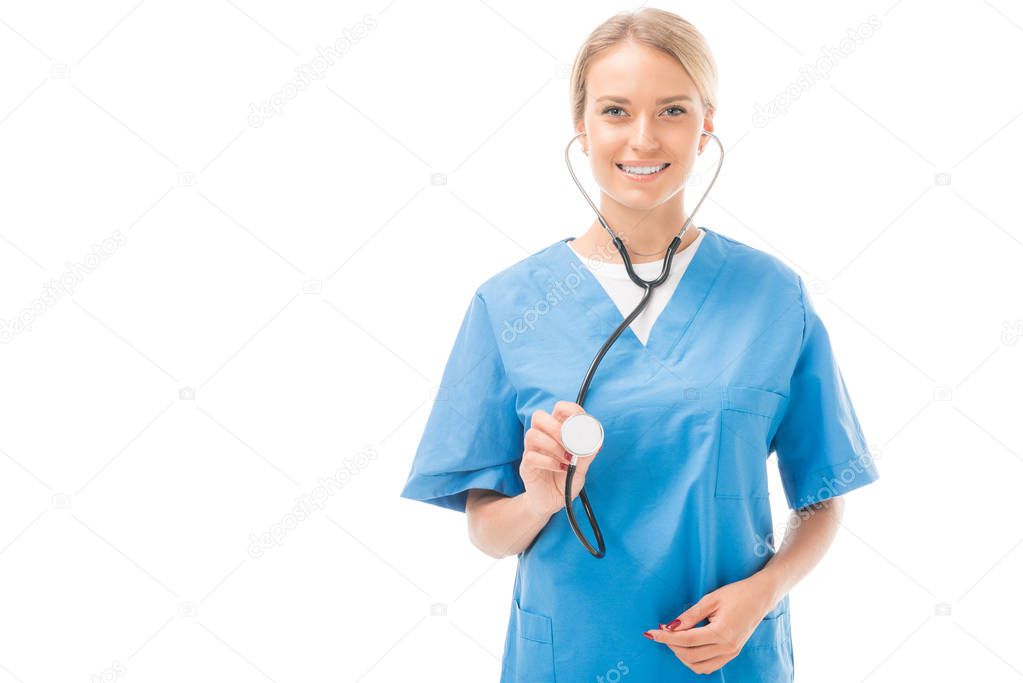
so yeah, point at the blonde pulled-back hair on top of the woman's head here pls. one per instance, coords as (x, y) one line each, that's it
(655, 28)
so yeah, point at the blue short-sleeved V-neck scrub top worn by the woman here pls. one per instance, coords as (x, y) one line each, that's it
(737, 367)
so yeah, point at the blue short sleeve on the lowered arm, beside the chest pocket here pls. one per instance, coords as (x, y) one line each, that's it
(821, 448)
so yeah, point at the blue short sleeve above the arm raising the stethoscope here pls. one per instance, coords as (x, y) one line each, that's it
(473, 438)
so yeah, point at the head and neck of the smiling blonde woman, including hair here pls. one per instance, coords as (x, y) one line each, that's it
(644, 89)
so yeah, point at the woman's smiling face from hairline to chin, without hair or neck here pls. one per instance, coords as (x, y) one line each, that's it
(642, 110)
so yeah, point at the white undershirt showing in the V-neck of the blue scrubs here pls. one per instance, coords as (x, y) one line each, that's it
(627, 294)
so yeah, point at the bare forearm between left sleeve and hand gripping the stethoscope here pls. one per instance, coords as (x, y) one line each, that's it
(503, 526)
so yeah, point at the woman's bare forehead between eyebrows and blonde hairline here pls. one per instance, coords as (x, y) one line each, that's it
(638, 72)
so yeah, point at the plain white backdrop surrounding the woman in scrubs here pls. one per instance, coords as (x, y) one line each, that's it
(286, 296)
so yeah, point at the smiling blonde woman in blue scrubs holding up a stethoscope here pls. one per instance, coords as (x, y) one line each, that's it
(729, 363)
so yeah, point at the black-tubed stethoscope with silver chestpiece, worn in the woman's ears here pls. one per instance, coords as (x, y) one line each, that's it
(583, 435)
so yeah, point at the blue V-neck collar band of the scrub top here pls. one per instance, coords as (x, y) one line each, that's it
(672, 326)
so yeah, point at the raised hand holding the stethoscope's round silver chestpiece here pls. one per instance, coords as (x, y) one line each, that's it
(545, 461)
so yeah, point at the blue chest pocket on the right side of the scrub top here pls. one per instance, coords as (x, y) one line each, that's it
(749, 418)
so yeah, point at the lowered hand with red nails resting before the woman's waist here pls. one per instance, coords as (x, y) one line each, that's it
(734, 612)
